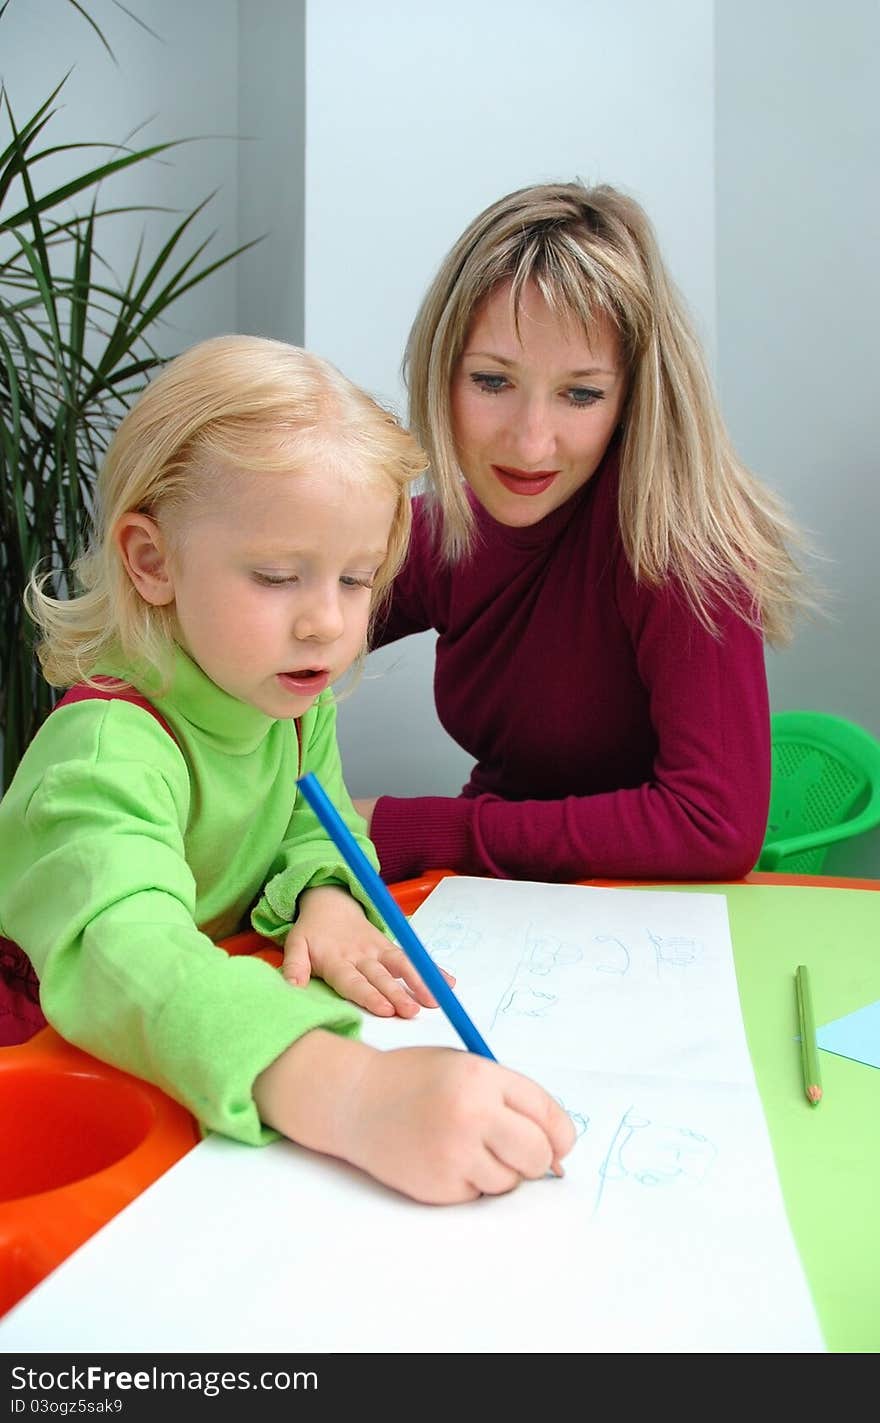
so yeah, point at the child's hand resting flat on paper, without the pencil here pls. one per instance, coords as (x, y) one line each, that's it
(332, 938)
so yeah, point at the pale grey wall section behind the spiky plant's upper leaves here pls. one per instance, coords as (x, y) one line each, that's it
(180, 82)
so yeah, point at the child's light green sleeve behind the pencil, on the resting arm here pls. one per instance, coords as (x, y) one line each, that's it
(308, 857)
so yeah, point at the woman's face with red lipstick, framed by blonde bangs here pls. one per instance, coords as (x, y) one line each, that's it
(533, 413)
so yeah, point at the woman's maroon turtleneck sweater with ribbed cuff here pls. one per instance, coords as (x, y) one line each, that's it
(614, 736)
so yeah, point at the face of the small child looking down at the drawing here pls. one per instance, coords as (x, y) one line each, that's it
(273, 586)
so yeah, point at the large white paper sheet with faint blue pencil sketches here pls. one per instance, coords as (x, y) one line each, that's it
(667, 1233)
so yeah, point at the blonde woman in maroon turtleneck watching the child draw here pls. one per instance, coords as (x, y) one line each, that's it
(600, 567)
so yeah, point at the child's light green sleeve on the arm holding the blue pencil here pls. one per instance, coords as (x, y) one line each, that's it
(98, 890)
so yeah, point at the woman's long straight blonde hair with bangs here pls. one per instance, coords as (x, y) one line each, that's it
(688, 509)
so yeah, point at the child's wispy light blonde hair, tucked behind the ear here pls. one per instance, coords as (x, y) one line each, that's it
(230, 403)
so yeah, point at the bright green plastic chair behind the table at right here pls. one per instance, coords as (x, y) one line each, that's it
(825, 788)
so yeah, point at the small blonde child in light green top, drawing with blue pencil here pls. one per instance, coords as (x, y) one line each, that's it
(254, 510)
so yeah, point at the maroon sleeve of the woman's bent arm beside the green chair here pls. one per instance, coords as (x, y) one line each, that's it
(701, 816)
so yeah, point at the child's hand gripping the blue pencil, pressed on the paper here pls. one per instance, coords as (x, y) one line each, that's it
(436, 1123)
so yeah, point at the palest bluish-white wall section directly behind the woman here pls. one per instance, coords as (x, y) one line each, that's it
(417, 119)
